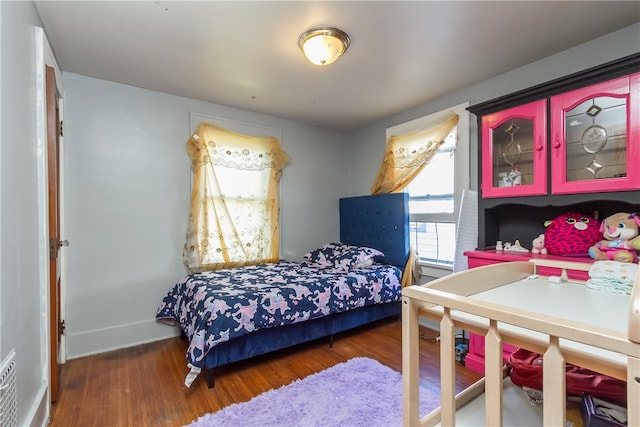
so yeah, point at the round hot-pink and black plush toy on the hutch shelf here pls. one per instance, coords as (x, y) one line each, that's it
(571, 234)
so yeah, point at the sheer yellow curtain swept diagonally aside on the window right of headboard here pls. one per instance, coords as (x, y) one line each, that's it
(406, 155)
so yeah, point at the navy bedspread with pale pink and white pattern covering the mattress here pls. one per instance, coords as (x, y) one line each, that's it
(217, 306)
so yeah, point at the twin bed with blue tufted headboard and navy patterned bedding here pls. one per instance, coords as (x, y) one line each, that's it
(233, 315)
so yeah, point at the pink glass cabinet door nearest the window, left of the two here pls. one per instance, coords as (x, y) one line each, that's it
(514, 160)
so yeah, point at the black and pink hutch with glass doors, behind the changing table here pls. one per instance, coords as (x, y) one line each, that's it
(568, 144)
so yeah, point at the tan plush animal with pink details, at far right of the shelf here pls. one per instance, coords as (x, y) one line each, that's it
(621, 241)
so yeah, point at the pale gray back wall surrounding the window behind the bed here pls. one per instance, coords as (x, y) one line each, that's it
(127, 183)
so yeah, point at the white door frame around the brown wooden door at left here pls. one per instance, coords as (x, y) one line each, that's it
(46, 57)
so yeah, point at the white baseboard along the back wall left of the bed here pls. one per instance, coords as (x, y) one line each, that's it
(97, 341)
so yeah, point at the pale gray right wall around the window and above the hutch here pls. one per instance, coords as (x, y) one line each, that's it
(368, 143)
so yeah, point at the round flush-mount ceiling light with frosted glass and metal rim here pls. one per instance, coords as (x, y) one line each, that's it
(324, 45)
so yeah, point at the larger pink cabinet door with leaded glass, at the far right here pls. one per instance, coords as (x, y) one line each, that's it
(594, 138)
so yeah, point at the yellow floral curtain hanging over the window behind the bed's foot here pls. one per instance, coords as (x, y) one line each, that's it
(234, 211)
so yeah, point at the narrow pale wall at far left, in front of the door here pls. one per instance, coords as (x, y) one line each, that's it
(23, 322)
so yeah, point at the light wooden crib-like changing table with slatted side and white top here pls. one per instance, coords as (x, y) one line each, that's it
(562, 319)
